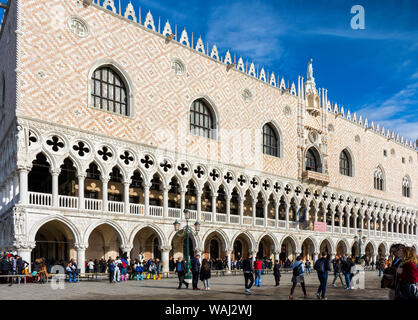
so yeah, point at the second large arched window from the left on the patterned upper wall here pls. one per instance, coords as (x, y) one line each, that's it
(202, 120)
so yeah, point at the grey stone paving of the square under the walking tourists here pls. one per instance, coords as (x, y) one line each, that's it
(222, 288)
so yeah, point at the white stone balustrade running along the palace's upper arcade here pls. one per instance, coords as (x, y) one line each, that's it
(69, 202)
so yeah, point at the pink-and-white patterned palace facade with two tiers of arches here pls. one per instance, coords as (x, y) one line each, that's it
(113, 123)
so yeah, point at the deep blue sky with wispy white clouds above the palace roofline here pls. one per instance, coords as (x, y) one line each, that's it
(373, 71)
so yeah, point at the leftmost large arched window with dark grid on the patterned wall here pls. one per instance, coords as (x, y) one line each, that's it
(109, 91)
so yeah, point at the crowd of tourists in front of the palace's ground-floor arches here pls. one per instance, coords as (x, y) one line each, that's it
(400, 274)
